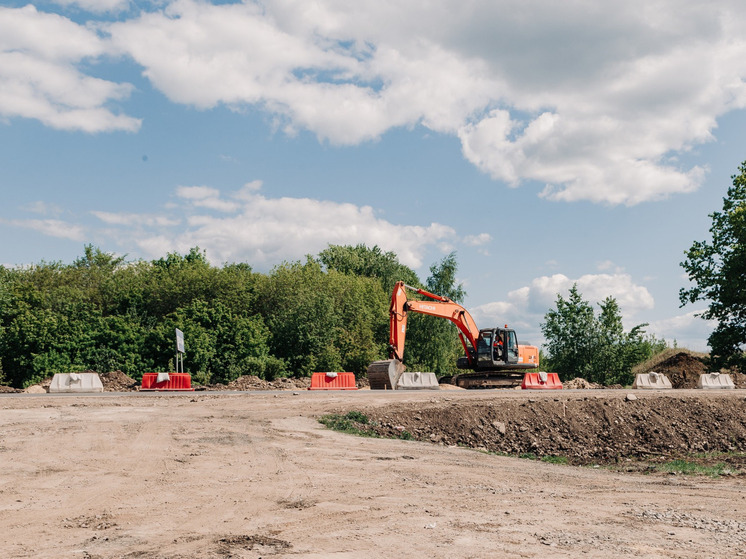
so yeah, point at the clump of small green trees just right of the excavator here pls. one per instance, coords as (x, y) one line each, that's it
(596, 348)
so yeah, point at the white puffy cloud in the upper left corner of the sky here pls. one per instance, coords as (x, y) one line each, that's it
(39, 77)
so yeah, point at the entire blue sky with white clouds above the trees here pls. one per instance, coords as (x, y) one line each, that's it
(546, 143)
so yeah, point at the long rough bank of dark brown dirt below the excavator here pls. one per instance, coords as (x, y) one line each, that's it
(584, 429)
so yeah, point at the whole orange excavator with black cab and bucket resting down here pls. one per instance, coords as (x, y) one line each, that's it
(492, 355)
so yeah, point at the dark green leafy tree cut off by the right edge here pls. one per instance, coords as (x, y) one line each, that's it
(717, 269)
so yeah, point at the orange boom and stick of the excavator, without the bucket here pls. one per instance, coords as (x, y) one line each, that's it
(438, 306)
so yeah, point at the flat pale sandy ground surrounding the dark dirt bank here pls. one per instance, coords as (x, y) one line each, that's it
(255, 475)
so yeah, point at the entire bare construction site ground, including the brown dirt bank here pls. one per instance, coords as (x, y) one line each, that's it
(254, 474)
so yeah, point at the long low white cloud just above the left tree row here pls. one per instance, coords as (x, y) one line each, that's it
(247, 226)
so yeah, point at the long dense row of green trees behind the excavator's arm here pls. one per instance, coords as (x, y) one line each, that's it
(104, 313)
